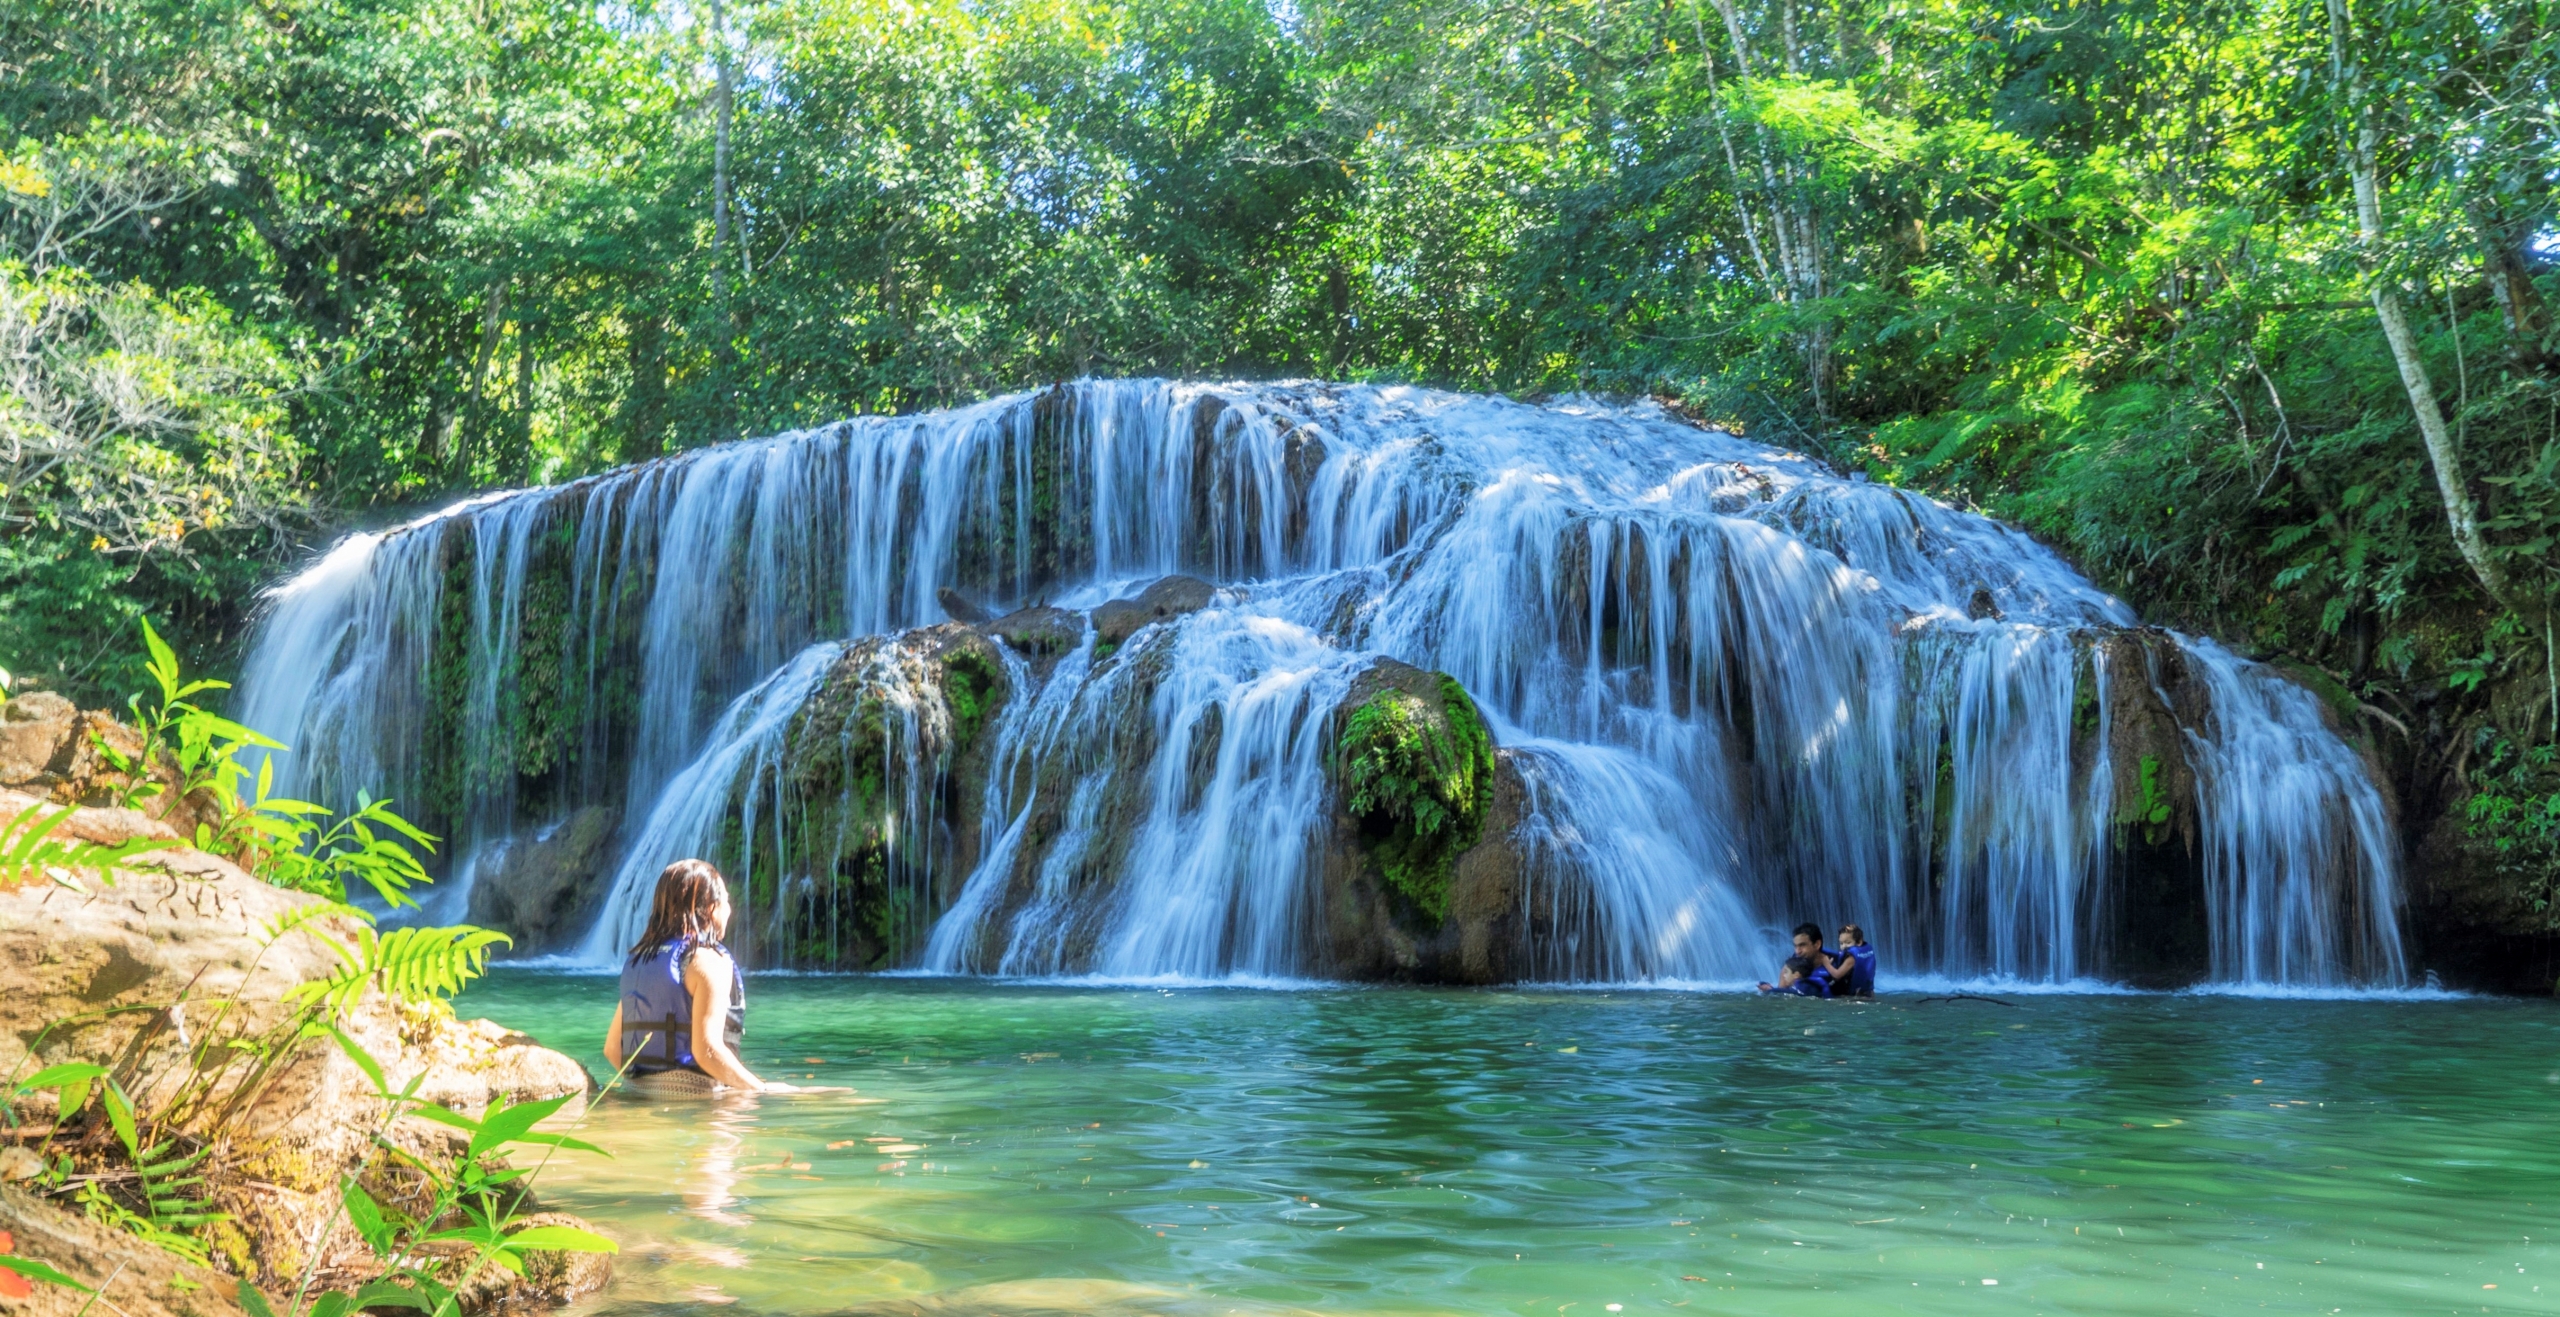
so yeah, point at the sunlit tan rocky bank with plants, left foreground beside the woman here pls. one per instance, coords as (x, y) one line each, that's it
(180, 957)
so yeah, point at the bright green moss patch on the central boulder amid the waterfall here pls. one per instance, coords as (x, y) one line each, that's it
(1420, 783)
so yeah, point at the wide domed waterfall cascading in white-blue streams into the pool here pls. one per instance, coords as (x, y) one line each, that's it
(1734, 691)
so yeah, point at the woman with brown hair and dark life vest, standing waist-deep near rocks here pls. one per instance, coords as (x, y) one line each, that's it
(685, 1008)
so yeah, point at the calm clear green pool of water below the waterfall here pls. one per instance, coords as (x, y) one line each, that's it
(1207, 1152)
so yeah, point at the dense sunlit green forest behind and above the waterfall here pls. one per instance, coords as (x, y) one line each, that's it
(2244, 304)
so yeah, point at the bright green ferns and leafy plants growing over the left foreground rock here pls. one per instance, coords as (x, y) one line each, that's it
(147, 1172)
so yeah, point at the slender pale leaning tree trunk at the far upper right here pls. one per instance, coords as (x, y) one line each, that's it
(2444, 455)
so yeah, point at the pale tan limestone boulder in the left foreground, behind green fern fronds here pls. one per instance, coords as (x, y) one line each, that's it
(186, 949)
